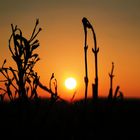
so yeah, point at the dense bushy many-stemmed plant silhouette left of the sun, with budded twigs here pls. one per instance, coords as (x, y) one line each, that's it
(24, 78)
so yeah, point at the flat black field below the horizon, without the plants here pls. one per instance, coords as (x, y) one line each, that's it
(96, 120)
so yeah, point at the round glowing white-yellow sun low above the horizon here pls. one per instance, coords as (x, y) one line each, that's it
(70, 83)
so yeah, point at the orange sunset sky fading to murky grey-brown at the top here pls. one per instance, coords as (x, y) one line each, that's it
(117, 27)
